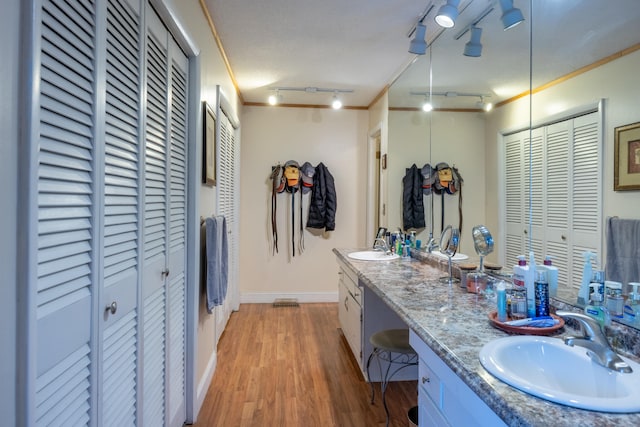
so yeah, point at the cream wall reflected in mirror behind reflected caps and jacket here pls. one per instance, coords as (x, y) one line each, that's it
(457, 139)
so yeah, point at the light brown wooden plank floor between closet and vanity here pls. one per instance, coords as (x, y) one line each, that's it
(291, 366)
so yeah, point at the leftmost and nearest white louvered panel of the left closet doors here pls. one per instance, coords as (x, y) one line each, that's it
(66, 245)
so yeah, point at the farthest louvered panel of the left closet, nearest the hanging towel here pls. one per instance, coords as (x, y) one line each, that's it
(176, 297)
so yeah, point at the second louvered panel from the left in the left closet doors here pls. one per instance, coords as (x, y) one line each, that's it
(122, 176)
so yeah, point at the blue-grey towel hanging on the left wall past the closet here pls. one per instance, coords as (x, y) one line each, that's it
(217, 261)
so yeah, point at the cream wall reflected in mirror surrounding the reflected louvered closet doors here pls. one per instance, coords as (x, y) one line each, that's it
(616, 82)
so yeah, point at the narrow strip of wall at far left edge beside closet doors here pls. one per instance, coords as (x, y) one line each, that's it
(9, 86)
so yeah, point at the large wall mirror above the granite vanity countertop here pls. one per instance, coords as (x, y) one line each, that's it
(581, 58)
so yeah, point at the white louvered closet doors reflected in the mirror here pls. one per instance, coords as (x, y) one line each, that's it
(566, 186)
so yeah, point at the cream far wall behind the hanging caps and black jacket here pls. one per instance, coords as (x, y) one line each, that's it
(275, 134)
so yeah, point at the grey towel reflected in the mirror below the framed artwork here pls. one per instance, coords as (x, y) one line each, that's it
(623, 250)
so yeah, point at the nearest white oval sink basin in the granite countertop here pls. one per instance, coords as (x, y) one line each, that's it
(551, 370)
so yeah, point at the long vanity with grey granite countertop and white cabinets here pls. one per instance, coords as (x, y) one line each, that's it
(448, 328)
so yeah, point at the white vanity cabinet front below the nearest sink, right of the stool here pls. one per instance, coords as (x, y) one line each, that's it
(443, 398)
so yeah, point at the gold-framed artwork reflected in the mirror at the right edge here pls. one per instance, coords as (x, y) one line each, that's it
(626, 168)
